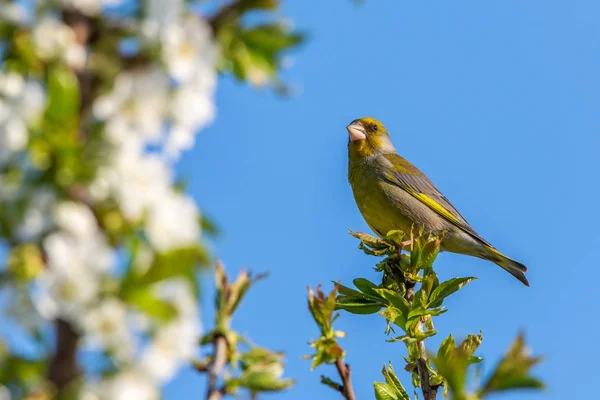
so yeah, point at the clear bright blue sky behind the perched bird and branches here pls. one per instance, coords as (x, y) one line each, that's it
(496, 101)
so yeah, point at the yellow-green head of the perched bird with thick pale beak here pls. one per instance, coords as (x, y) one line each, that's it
(368, 137)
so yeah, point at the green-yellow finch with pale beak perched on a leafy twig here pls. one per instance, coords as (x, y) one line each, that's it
(393, 194)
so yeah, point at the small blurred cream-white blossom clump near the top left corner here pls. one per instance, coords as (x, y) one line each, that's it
(53, 39)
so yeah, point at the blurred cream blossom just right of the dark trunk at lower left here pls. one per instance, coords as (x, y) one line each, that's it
(106, 326)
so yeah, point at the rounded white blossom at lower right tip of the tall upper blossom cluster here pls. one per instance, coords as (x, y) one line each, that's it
(173, 223)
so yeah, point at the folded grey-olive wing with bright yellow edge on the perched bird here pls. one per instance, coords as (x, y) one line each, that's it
(409, 178)
